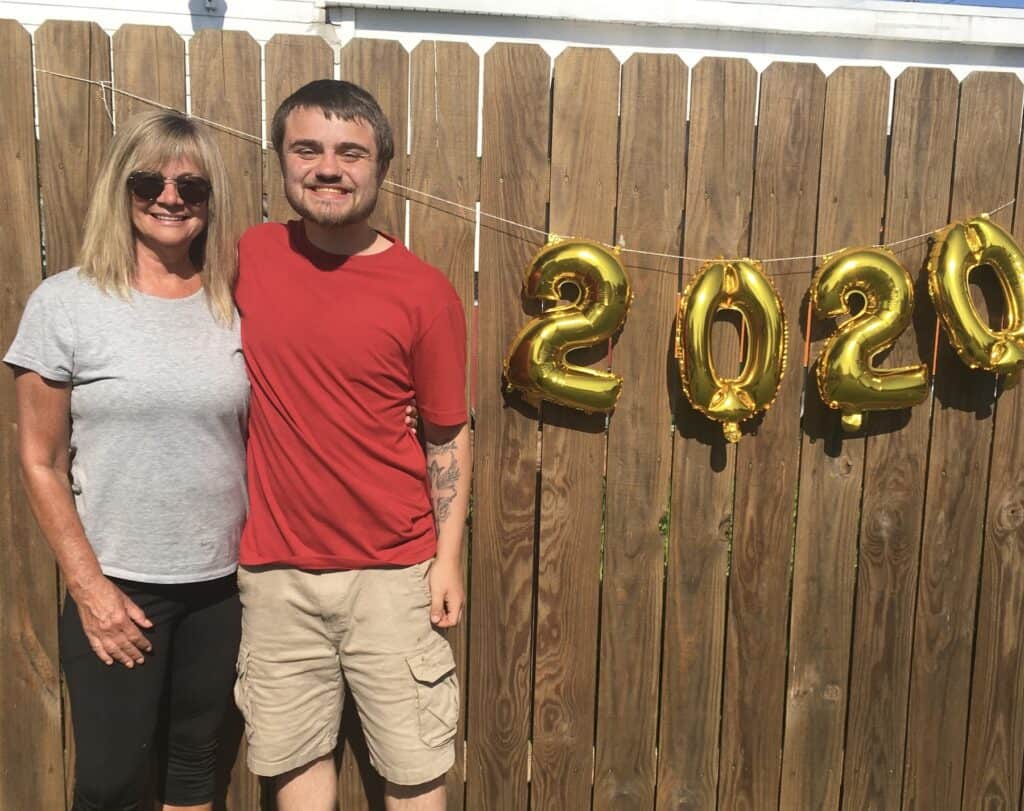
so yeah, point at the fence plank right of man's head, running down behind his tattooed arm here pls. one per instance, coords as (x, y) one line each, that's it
(443, 163)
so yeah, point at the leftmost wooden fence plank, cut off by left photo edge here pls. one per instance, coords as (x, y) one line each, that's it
(31, 743)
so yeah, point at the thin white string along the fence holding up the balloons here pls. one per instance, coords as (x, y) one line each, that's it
(108, 86)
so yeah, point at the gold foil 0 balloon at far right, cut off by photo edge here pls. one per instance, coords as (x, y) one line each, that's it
(958, 250)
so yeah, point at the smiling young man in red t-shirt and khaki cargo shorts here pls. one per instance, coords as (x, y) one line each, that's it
(351, 559)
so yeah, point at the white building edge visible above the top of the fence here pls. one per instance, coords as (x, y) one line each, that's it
(830, 32)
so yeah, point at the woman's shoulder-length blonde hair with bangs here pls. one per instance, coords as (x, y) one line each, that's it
(149, 143)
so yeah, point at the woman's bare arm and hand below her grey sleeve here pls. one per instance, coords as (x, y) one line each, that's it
(111, 620)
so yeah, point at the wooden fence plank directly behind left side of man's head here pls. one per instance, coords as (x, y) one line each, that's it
(291, 62)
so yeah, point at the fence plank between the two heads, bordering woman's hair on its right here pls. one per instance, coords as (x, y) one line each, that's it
(226, 89)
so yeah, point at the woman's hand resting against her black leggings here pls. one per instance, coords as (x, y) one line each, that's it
(112, 623)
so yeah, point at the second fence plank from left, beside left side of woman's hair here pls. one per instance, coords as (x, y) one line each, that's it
(74, 131)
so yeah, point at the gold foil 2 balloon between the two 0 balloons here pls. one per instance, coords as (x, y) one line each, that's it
(848, 381)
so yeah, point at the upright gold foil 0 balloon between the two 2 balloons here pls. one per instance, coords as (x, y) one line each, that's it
(740, 286)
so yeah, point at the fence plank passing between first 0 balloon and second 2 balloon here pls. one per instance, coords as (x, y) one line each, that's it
(789, 155)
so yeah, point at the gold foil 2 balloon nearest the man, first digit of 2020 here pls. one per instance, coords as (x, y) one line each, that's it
(536, 363)
